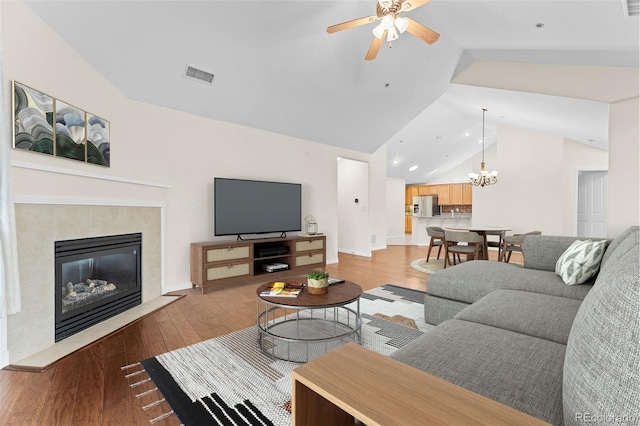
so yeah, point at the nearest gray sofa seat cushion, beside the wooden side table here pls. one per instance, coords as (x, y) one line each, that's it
(520, 371)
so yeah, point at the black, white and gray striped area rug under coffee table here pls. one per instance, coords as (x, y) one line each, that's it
(228, 380)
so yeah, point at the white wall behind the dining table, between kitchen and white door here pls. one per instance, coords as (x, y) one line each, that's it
(536, 189)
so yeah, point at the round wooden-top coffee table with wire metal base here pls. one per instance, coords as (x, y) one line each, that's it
(297, 329)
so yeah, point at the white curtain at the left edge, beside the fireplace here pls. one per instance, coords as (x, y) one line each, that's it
(9, 278)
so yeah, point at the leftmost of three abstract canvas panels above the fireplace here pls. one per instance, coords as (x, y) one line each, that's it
(33, 119)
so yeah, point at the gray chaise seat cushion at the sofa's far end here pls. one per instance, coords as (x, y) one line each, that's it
(470, 281)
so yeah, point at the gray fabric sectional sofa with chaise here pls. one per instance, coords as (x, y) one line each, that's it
(519, 335)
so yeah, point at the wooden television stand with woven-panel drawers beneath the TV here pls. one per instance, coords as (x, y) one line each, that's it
(225, 262)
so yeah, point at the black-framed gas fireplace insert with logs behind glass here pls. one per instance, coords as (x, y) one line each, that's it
(95, 279)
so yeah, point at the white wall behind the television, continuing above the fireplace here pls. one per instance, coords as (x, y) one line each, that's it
(181, 151)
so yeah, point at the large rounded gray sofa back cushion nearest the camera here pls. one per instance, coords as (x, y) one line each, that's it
(602, 365)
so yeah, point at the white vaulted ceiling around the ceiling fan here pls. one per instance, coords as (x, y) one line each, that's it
(548, 65)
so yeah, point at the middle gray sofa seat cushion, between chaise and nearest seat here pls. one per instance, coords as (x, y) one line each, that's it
(537, 315)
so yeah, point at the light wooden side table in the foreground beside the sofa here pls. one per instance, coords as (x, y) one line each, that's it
(354, 382)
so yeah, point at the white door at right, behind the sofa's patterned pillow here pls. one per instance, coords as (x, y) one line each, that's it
(592, 204)
